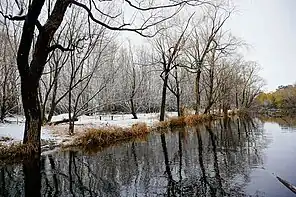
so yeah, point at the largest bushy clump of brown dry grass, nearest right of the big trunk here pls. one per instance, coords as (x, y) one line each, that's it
(107, 136)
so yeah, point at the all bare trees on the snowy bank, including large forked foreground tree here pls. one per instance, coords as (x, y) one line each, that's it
(70, 59)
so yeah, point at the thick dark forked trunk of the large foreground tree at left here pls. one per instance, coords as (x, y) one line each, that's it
(30, 73)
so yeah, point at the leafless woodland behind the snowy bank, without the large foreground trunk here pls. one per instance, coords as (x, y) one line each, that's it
(192, 61)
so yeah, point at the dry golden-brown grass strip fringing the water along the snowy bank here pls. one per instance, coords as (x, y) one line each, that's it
(94, 139)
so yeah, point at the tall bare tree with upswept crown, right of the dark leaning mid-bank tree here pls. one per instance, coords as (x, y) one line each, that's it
(202, 42)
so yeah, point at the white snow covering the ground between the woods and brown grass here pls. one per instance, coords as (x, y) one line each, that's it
(13, 130)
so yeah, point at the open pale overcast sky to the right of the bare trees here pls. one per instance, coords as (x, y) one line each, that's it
(269, 26)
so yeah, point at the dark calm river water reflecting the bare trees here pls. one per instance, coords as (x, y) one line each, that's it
(233, 158)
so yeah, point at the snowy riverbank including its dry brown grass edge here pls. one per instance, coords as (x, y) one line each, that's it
(91, 132)
